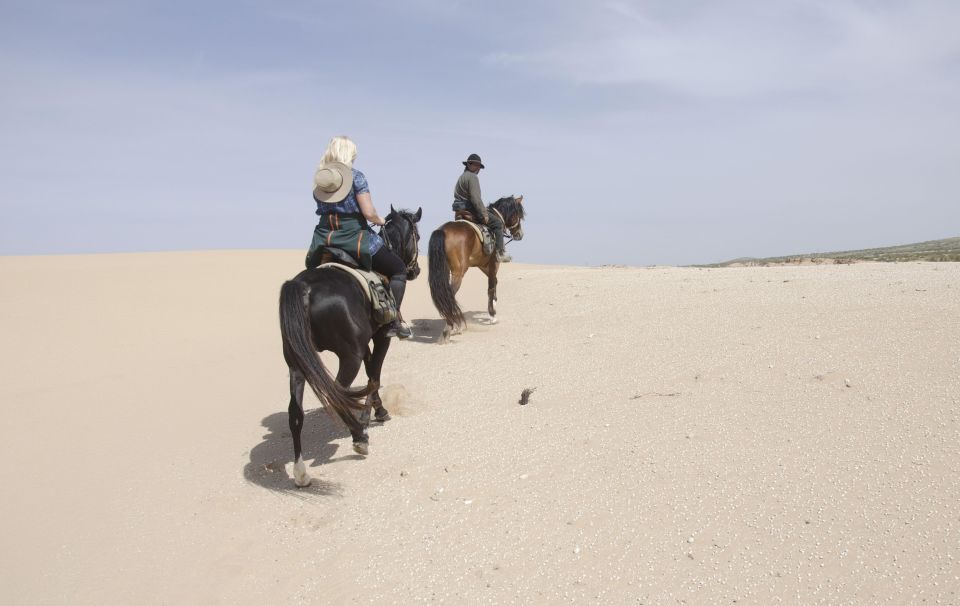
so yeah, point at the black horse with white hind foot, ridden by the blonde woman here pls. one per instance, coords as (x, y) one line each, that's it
(324, 309)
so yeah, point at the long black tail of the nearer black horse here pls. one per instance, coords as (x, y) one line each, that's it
(298, 345)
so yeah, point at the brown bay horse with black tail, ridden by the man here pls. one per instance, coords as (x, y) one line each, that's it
(454, 248)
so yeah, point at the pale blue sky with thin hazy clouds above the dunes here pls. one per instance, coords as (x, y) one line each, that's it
(639, 132)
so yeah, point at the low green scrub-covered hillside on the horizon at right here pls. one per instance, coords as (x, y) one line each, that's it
(934, 250)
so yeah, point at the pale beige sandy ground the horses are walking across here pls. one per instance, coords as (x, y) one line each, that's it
(748, 435)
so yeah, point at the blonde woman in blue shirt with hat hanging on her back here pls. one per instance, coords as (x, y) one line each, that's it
(344, 207)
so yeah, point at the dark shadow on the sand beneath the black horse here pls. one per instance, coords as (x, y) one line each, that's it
(270, 458)
